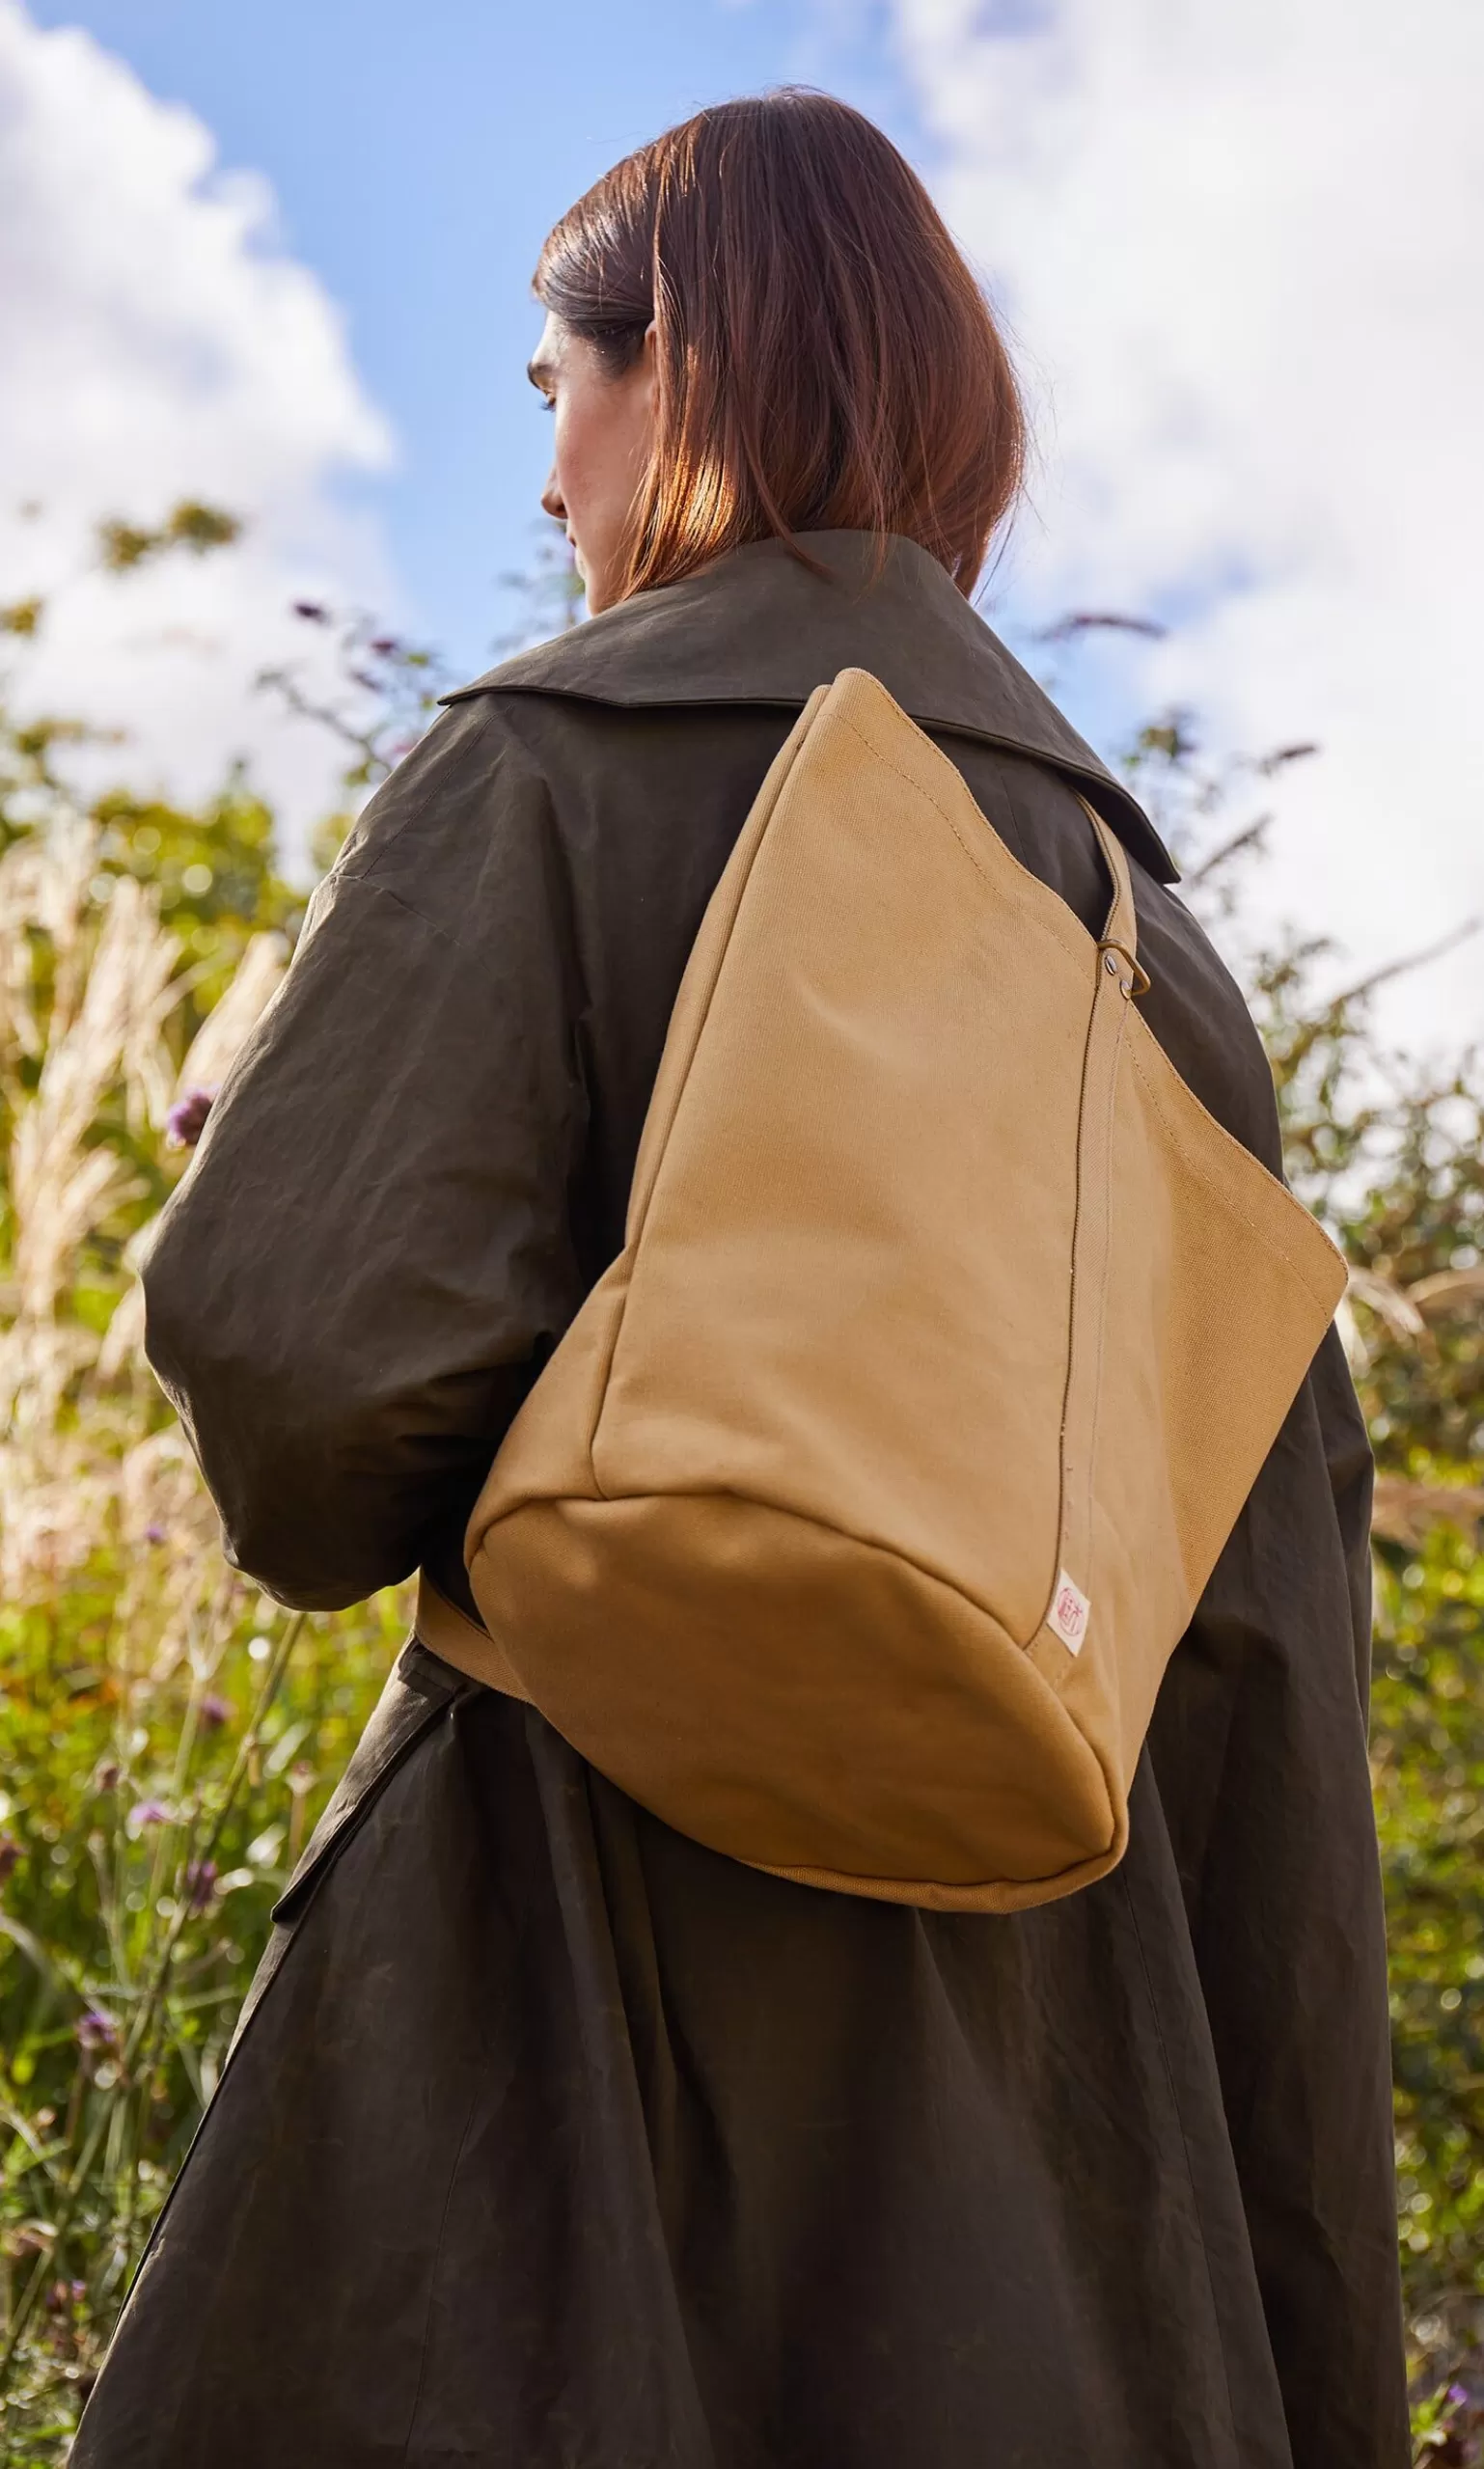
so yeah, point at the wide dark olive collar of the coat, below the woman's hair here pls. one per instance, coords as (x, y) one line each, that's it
(759, 628)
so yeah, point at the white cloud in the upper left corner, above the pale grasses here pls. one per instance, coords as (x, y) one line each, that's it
(162, 344)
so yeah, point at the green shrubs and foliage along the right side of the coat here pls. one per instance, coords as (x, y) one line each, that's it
(1394, 1162)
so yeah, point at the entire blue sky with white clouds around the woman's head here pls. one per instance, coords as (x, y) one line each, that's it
(280, 256)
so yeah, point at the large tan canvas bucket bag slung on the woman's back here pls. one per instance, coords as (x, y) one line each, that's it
(863, 1505)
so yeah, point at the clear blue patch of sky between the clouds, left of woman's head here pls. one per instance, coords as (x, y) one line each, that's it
(419, 157)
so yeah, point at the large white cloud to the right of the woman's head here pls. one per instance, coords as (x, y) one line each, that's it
(1243, 251)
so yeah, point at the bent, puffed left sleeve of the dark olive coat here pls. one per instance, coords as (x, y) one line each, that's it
(372, 1253)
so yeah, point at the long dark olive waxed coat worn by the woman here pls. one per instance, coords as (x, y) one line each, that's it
(554, 2139)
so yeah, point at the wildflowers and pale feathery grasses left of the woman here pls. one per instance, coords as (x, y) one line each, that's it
(167, 1734)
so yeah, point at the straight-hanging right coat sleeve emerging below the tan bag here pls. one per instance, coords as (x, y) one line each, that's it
(1261, 1757)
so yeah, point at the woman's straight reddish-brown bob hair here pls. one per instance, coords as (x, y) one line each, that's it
(826, 359)
